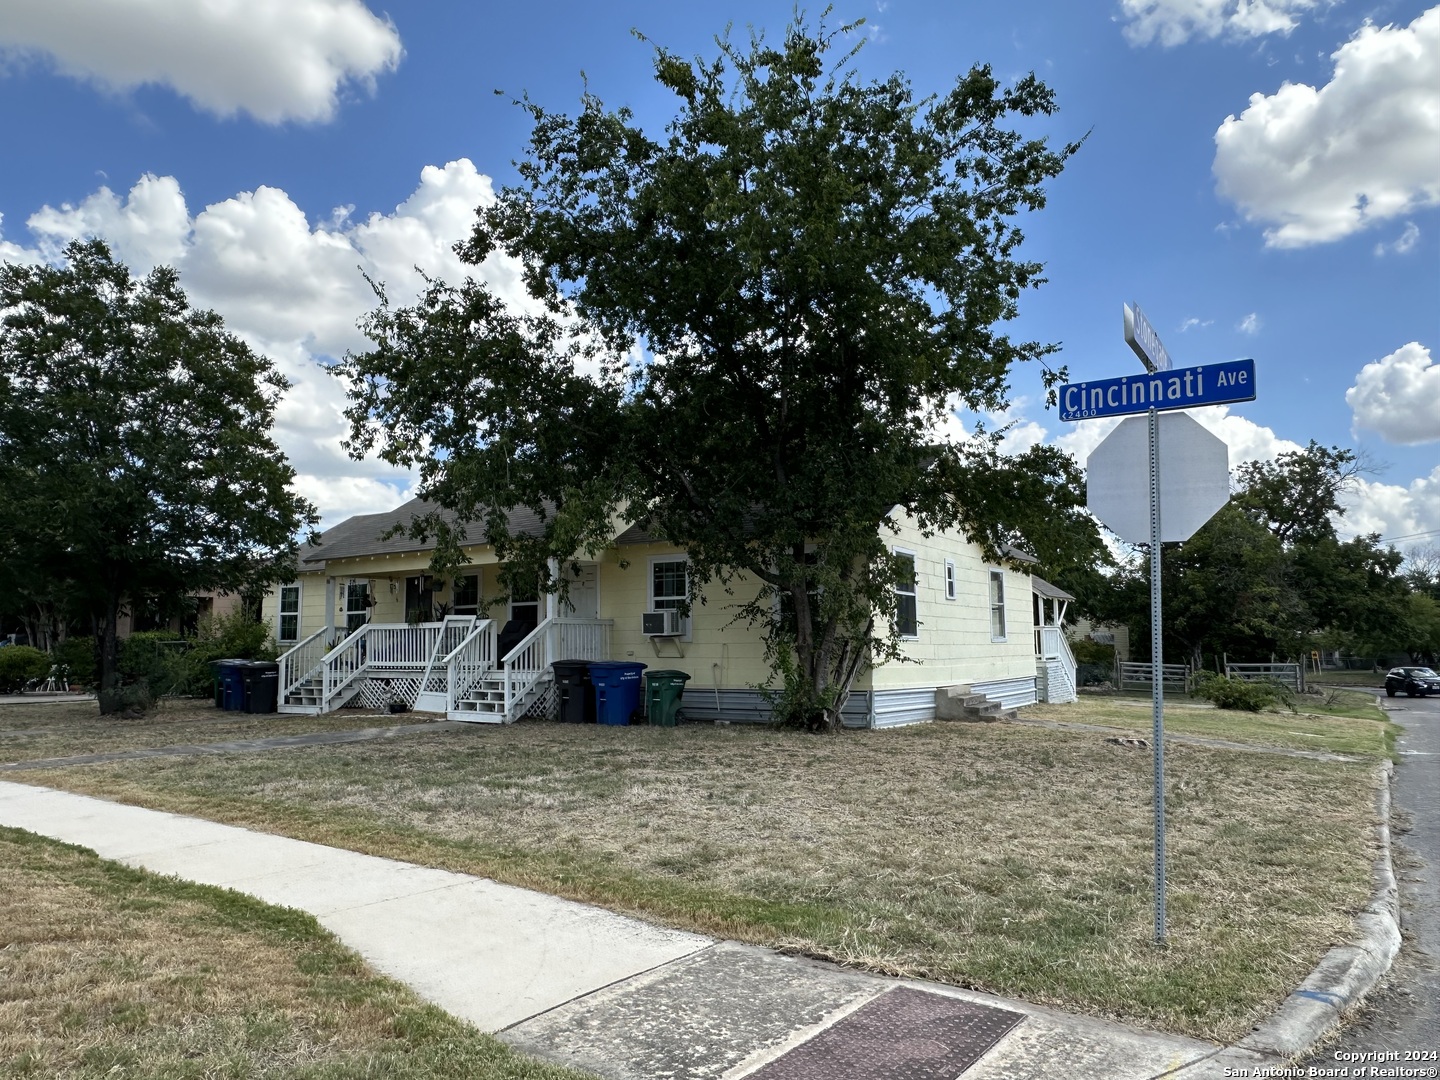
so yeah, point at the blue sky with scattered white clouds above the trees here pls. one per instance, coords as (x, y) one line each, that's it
(1261, 176)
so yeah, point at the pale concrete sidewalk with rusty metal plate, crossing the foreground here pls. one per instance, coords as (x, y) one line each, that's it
(618, 997)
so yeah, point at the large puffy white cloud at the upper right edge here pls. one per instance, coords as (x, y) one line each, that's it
(1320, 165)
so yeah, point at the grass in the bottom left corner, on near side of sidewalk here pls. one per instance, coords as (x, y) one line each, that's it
(114, 973)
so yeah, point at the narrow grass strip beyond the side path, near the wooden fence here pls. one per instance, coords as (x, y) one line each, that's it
(1341, 722)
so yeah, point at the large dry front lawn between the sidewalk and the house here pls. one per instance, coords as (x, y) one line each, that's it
(1003, 858)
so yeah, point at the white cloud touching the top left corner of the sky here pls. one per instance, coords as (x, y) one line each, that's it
(276, 60)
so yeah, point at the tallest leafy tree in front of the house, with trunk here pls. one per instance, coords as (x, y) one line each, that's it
(745, 336)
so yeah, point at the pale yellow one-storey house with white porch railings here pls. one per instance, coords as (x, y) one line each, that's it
(364, 623)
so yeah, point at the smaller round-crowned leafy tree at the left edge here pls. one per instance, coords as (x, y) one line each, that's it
(136, 453)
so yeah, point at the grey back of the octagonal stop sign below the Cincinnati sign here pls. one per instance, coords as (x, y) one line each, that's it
(1194, 479)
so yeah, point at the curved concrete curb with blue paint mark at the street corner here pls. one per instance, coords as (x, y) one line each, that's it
(1347, 973)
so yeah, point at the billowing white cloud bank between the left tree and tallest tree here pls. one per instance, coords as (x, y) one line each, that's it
(293, 292)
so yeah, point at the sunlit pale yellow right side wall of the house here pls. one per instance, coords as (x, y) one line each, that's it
(954, 644)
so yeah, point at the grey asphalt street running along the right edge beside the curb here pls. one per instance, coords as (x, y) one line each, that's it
(1403, 1016)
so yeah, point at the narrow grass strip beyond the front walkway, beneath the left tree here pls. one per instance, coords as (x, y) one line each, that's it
(70, 729)
